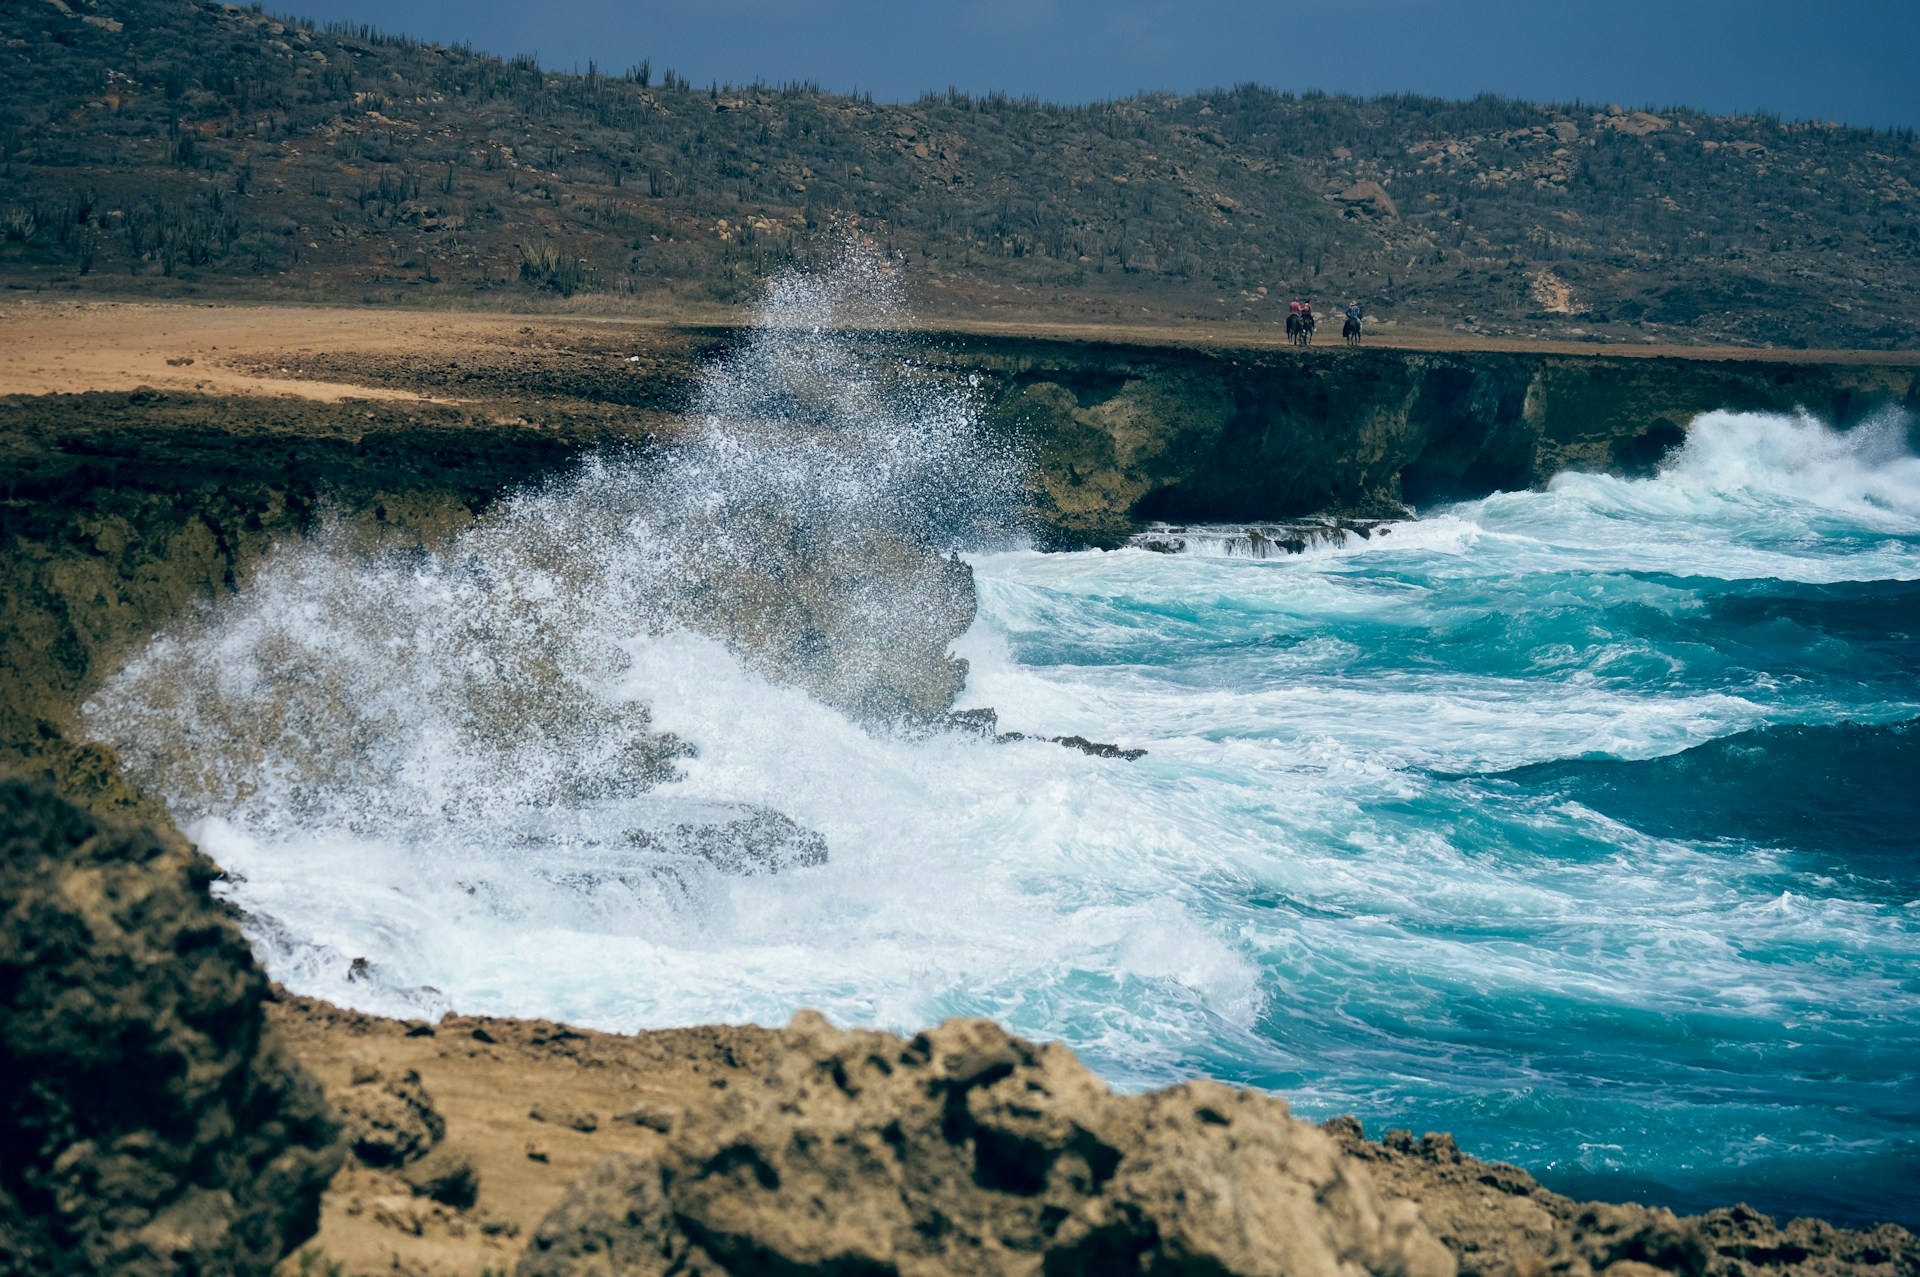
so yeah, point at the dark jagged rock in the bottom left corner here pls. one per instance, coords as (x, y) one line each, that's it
(151, 1120)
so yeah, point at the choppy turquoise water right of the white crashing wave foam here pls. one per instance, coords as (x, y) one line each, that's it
(1583, 825)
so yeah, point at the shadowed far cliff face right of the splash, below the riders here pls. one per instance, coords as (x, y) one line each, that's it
(1126, 433)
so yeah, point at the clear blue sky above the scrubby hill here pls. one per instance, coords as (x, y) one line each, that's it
(1850, 60)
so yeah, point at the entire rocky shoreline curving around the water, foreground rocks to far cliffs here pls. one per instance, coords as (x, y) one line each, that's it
(239, 1119)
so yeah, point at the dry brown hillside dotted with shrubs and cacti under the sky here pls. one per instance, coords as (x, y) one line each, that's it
(187, 149)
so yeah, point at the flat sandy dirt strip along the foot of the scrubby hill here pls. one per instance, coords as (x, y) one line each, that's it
(260, 350)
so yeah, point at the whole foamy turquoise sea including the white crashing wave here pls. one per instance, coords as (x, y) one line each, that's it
(1577, 823)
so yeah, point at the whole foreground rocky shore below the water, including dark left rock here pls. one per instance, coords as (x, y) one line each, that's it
(172, 1113)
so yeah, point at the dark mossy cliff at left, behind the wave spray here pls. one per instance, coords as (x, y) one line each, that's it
(120, 514)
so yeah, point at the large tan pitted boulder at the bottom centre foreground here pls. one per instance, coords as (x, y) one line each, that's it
(971, 1151)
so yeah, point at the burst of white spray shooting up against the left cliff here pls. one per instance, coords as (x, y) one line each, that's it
(483, 694)
